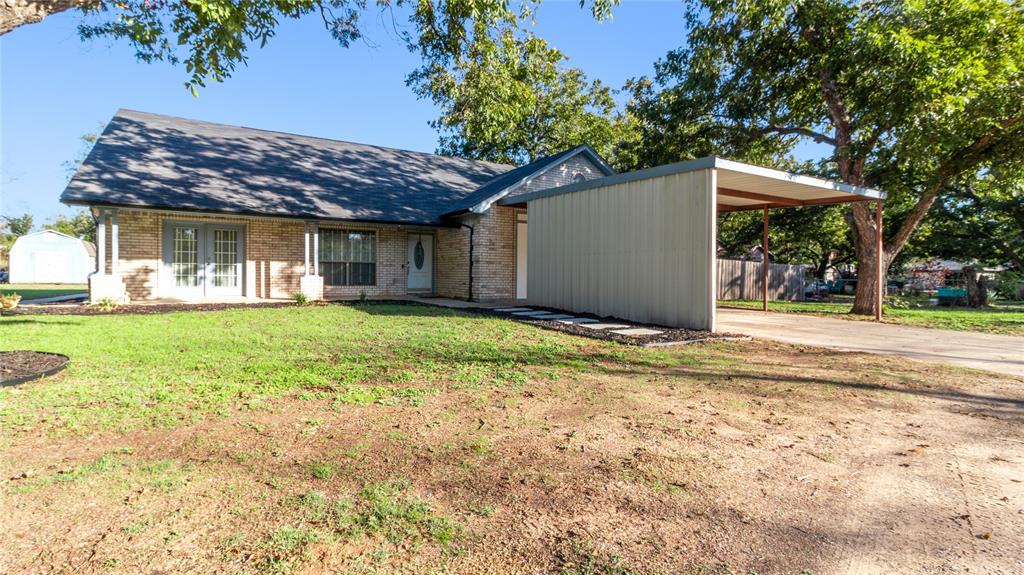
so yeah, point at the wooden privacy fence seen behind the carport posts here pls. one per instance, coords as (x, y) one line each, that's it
(741, 280)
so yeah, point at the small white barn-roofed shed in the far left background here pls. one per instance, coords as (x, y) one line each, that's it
(52, 257)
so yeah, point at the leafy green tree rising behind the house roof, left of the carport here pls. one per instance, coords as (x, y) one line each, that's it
(509, 98)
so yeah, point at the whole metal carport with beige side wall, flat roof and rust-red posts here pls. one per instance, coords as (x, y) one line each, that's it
(642, 246)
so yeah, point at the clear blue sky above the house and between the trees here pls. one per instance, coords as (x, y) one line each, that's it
(55, 89)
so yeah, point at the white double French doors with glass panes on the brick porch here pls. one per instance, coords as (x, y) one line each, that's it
(203, 260)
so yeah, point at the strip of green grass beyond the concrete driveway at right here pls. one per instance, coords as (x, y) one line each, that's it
(1000, 319)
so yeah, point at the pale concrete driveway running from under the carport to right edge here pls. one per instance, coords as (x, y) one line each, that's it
(1004, 355)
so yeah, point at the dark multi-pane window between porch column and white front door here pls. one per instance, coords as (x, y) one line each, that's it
(349, 258)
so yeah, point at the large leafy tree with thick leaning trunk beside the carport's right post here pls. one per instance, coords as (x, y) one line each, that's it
(913, 97)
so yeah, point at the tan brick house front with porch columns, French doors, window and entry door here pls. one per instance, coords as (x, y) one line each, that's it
(163, 256)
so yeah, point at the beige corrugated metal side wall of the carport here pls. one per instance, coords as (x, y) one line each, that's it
(643, 251)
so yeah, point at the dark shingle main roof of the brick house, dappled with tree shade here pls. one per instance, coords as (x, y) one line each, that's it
(146, 160)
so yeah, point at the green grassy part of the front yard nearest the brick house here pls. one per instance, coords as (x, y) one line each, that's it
(142, 371)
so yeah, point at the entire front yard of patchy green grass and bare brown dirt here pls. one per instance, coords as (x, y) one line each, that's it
(401, 438)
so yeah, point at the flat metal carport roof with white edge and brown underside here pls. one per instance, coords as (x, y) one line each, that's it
(741, 187)
